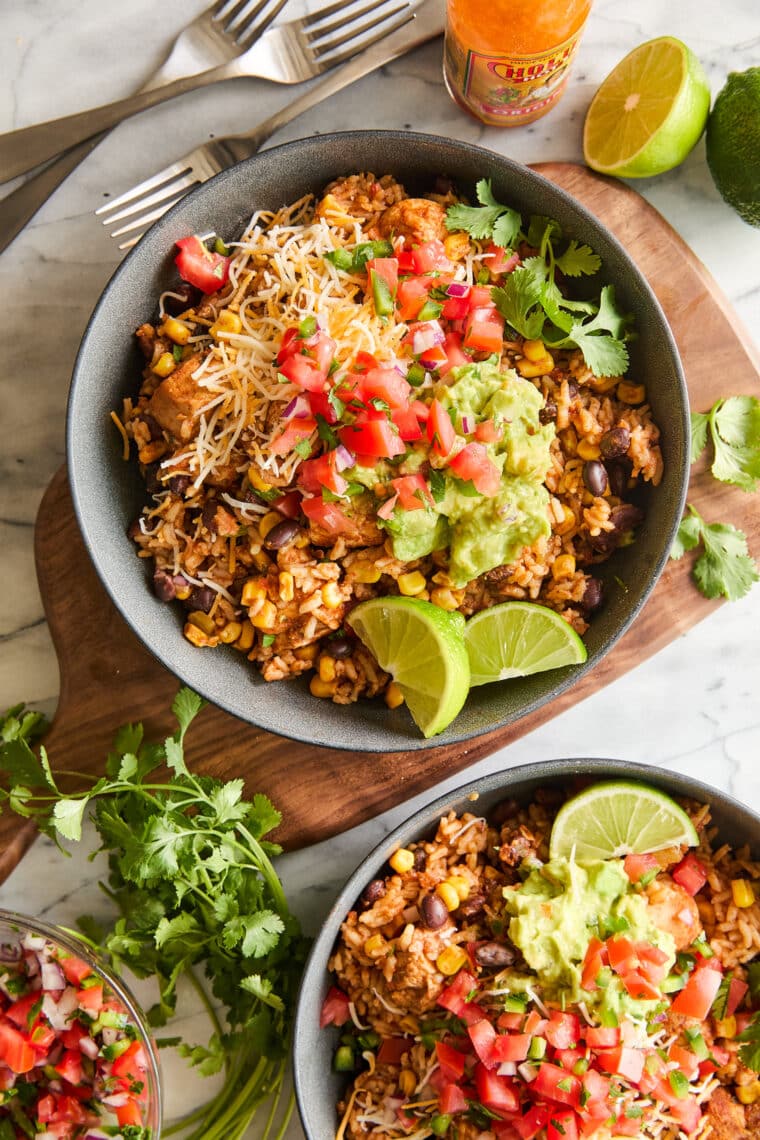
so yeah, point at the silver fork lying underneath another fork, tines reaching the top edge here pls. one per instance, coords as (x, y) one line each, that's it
(211, 40)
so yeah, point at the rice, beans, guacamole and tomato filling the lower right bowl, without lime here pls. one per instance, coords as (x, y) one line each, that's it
(567, 1003)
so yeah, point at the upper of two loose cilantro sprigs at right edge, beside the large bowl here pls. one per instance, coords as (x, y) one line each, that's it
(733, 426)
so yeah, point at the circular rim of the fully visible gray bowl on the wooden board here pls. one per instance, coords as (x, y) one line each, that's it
(231, 702)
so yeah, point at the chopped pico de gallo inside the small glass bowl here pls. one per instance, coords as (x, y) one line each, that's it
(73, 1065)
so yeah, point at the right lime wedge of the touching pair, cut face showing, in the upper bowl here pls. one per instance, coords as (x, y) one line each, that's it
(517, 639)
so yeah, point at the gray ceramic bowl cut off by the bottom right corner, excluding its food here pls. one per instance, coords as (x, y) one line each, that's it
(317, 1086)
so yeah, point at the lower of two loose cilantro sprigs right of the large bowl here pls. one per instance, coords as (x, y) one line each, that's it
(725, 567)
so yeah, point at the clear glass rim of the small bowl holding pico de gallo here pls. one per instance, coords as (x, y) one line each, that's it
(14, 926)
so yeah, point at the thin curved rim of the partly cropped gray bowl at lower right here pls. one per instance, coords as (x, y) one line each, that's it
(314, 983)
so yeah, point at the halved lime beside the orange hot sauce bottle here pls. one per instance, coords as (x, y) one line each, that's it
(649, 113)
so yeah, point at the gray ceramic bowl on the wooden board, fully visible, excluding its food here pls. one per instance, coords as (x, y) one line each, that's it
(109, 494)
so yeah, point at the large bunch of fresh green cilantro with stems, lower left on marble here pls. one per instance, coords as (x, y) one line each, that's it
(192, 876)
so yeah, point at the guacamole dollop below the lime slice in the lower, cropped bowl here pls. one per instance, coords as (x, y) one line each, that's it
(557, 911)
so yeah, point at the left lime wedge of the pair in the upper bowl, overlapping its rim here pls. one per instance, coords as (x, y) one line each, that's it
(423, 649)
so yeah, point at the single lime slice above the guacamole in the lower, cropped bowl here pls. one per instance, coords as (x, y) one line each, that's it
(617, 819)
